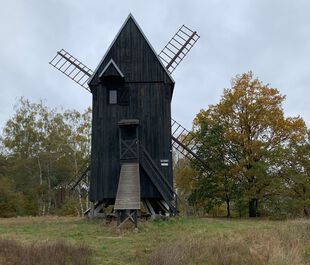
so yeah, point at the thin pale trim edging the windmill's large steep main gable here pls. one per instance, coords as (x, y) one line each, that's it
(116, 37)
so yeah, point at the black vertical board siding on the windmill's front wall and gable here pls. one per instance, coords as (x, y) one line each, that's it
(150, 90)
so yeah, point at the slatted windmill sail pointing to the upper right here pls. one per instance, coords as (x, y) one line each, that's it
(178, 47)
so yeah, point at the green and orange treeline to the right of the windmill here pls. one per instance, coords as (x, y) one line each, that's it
(259, 159)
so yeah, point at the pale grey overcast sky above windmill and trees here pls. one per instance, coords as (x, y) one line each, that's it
(271, 38)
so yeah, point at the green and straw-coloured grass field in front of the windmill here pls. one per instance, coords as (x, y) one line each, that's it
(176, 241)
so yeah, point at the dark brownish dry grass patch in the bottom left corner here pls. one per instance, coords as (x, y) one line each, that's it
(57, 253)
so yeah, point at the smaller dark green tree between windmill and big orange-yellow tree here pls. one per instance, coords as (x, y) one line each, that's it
(218, 185)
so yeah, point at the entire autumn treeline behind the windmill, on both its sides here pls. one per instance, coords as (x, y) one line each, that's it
(259, 160)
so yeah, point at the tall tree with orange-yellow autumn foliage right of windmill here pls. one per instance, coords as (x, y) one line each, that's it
(254, 128)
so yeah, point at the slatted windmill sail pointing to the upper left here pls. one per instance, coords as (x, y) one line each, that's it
(72, 67)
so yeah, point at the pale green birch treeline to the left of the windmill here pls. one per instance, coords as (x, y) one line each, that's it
(41, 148)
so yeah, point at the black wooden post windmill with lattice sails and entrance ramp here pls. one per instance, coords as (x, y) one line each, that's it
(132, 129)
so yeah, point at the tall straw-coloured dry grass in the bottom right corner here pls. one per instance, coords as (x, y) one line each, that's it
(281, 246)
